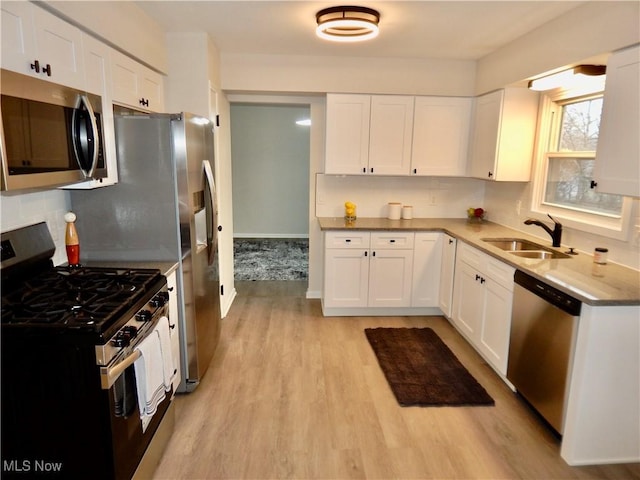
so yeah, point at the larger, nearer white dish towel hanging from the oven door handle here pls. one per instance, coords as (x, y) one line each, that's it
(149, 377)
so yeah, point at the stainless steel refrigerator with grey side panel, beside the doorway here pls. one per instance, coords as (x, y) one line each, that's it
(163, 209)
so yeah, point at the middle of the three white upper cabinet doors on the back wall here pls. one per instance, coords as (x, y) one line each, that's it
(390, 134)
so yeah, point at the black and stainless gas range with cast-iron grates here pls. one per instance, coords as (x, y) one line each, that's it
(69, 339)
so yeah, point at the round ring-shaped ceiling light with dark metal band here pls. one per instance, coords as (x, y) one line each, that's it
(347, 24)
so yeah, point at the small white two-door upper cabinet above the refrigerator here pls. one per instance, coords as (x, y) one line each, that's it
(135, 85)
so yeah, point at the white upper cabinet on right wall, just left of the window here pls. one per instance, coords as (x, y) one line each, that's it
(503, 136)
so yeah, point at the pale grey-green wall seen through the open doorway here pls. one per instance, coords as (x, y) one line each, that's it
(270, 161)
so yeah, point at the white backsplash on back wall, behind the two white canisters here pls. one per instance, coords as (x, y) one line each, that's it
(435, 197)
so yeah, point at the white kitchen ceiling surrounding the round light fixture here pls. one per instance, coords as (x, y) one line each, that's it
(458, 30)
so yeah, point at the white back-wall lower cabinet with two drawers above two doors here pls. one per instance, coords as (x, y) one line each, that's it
(368, 269)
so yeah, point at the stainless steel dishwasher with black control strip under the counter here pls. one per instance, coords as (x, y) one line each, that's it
(543, 330)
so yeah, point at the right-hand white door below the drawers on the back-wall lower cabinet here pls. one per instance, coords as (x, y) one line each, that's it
(390, 274)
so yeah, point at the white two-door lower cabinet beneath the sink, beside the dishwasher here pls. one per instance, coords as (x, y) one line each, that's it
(482, 300)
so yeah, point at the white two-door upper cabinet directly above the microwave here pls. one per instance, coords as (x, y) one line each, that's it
(35, 42)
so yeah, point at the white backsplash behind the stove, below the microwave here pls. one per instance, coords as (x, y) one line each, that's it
(29, 208)
